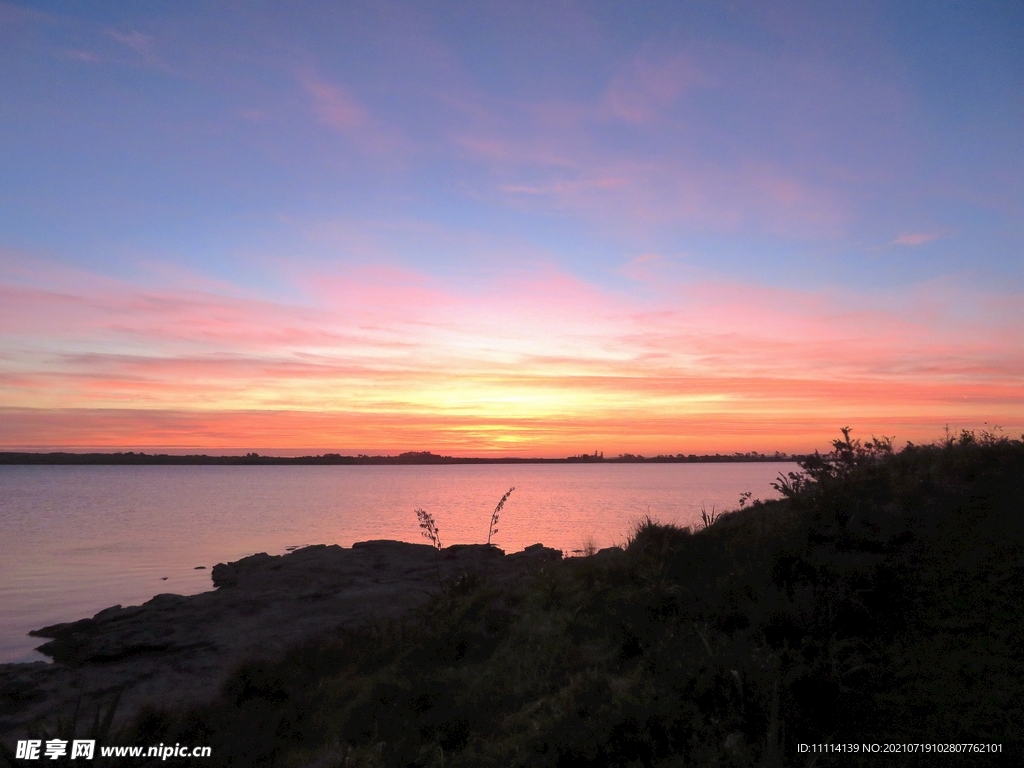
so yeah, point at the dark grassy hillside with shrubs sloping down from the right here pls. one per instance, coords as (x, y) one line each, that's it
(880, 601)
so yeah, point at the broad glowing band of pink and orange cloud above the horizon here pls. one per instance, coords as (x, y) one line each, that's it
(532, 364)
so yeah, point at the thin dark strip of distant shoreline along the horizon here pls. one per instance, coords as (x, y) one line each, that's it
(410, 458)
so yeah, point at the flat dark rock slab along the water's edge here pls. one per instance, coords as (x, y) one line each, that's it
(177, 651)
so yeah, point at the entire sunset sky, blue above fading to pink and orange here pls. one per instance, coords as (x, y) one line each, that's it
(524, 229)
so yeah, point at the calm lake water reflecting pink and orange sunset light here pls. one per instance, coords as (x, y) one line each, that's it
(77, 540)
